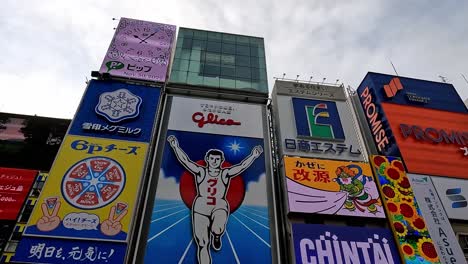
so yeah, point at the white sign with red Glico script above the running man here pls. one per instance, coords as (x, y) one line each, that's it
(216, 117)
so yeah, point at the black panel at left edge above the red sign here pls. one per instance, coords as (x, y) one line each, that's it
(30, 142)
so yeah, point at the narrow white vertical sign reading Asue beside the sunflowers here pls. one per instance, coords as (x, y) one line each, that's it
(439, 227)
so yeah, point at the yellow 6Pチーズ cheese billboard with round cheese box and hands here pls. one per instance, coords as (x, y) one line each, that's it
(91, 190)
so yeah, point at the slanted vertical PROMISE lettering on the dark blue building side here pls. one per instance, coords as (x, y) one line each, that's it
(371, 111)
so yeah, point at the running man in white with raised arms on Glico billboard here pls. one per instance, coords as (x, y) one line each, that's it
(210, 210)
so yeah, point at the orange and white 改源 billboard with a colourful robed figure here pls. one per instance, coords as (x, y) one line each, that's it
(331, 187)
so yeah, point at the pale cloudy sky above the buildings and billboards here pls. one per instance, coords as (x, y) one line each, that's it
(50, 47)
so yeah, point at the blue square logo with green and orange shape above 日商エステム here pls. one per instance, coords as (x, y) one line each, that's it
(317, 119)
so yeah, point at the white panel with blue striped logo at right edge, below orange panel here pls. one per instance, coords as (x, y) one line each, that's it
(454, 196)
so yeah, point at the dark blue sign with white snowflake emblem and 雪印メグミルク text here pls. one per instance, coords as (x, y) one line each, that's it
(117, 110)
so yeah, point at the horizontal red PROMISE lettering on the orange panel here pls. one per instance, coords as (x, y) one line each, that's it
(434, 135)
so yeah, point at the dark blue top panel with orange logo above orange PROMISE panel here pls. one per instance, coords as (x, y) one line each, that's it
(414, 92)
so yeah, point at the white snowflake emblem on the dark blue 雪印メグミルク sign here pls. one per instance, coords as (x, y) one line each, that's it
(118, 105)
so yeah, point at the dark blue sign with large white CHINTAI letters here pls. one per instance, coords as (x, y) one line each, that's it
(343, 244)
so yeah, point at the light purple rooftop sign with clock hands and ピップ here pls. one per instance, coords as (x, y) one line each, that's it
(140, 50)
